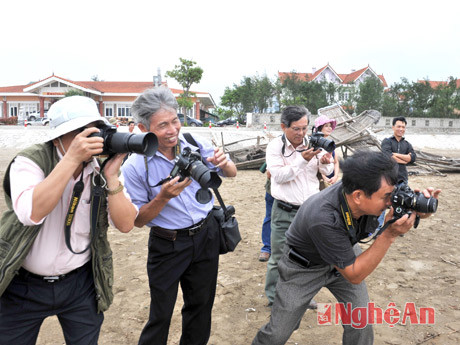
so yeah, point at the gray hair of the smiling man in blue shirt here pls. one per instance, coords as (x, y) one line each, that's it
(151, 101)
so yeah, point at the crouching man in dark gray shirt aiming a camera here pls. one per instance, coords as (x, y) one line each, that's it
(322, 251)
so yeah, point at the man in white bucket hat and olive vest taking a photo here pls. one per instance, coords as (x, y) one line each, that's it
(55, 258)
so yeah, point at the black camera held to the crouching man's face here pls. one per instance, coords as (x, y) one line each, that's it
(404, 200)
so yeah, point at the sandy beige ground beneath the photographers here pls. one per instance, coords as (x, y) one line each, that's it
(421, 267)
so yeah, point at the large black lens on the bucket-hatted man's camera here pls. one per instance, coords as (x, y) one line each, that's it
(146, 143)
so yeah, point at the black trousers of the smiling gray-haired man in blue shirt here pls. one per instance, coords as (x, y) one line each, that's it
(192, 262)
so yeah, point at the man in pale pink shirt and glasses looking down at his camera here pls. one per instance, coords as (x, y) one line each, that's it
(293, 168)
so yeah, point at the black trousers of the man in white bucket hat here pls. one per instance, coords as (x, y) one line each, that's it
(28, 301)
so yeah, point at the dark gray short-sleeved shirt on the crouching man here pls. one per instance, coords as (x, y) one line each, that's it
(318, 231)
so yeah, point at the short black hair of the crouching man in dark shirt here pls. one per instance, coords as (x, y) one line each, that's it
(365, 169)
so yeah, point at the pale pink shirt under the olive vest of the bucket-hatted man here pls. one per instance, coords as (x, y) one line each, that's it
(49, 254)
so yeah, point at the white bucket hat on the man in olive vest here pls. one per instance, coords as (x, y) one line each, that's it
(71, 113)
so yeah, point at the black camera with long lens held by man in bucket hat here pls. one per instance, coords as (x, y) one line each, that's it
(116, 142)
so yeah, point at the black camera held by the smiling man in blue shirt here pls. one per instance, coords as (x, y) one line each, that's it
(189, 163)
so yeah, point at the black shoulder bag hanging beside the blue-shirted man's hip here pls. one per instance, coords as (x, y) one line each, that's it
(229, 231)
